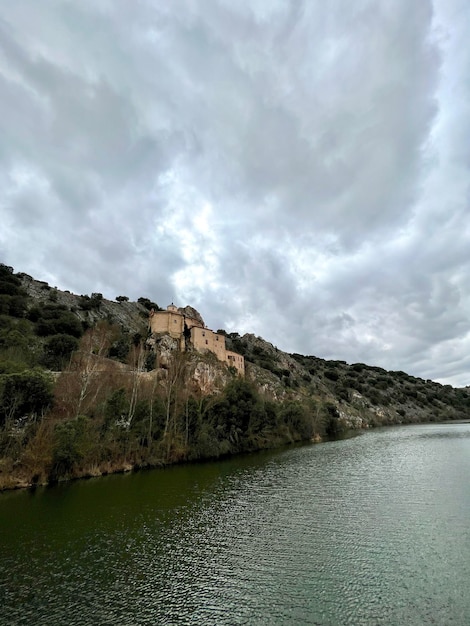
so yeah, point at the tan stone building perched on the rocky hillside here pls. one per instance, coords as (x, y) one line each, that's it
(188, 328)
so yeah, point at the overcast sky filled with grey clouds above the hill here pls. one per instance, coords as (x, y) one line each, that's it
(298, 170)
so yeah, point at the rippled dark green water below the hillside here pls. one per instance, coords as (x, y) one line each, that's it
(371, 530)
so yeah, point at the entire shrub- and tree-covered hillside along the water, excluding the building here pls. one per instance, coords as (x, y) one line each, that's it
(84, 390)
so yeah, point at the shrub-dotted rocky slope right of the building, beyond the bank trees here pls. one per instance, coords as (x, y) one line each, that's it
(359, 395)
